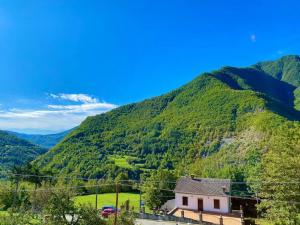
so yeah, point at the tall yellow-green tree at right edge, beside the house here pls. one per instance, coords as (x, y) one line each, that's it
(280, 187)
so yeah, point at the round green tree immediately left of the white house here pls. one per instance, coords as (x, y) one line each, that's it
(158, 188)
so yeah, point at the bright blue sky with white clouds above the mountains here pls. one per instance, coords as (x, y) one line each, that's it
(61, 61)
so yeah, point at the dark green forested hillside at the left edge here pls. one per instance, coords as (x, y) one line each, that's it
(16, 151)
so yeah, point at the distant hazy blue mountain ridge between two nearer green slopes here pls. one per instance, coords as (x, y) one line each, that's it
(45, 141)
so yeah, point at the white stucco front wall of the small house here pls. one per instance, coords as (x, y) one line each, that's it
(208, 202)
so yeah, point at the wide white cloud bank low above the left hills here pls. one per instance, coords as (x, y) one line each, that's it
(54, 117)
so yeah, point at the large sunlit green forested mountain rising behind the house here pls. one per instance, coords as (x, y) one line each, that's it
(221, 124)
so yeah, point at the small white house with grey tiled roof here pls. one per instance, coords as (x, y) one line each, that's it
(199, 194)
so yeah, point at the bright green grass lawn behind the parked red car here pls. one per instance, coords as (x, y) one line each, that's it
(110, 199)
